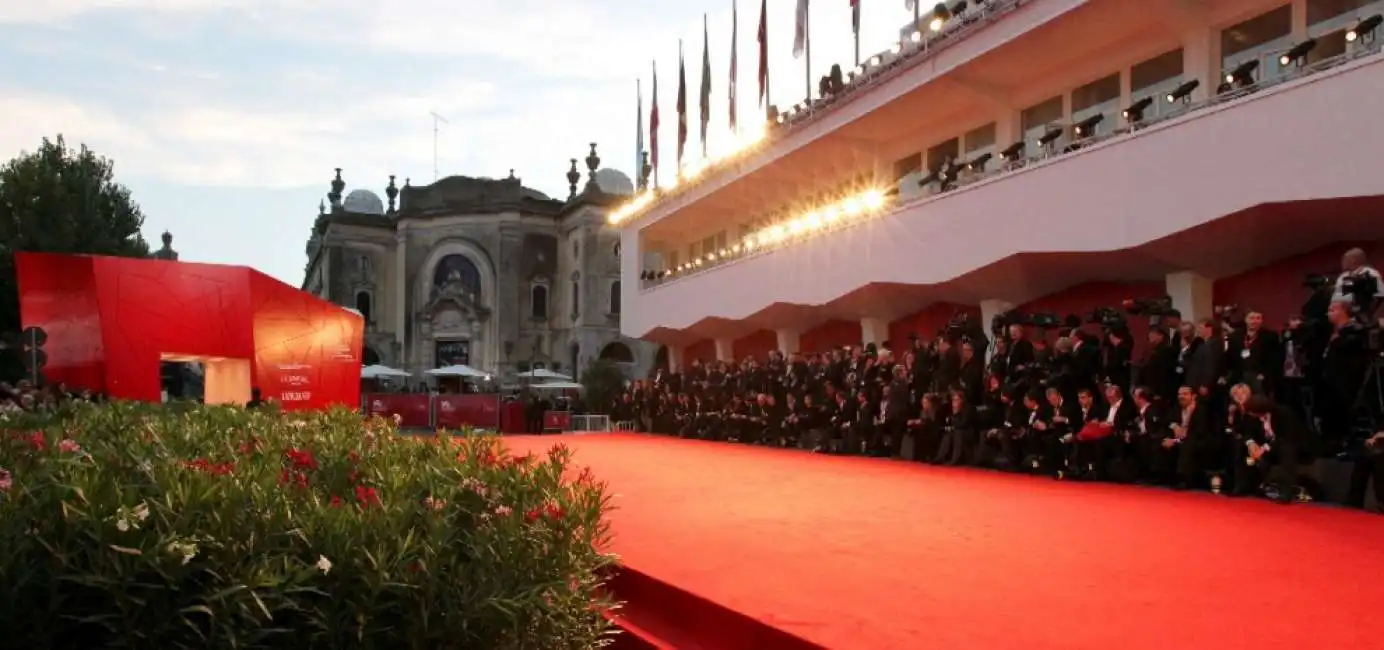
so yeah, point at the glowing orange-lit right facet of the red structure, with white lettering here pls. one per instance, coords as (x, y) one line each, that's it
(307, 349)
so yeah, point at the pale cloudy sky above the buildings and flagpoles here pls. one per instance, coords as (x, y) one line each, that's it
(226, 118)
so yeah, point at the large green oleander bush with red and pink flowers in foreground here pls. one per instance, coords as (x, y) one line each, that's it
(217, 528)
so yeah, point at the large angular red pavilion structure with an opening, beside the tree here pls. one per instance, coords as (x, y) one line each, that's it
(304, 352)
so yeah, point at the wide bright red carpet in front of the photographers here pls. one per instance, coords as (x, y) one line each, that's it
(864, 554)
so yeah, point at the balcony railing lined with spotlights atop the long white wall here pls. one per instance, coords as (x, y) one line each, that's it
(744, 251)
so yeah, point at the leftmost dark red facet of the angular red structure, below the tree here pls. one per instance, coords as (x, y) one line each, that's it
(60, 297)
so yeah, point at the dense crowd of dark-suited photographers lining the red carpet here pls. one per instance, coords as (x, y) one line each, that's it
(1226, 405)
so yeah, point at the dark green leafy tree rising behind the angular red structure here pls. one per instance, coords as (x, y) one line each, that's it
(59, 200)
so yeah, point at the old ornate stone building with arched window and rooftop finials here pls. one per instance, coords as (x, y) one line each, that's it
(480, 272)
